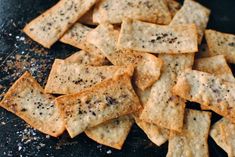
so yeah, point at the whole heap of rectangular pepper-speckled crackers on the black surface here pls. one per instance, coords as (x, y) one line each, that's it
(137, 64)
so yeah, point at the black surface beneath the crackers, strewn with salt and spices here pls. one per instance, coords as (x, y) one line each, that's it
(18, 53)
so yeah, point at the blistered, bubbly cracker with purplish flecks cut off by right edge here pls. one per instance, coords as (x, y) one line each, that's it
(207, 90)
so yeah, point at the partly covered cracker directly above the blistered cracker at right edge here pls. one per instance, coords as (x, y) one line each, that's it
(216, 65)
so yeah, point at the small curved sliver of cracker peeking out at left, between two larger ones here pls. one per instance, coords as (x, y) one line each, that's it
(87, 58)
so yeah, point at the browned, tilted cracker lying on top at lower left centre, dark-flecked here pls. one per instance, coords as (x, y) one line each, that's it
(107, 100)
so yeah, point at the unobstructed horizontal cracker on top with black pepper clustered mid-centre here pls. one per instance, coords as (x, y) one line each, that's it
(148, 37)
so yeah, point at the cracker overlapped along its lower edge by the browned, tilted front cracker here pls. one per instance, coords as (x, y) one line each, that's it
(70, 78)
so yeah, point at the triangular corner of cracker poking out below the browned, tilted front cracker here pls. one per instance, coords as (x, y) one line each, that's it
(112, 133)
